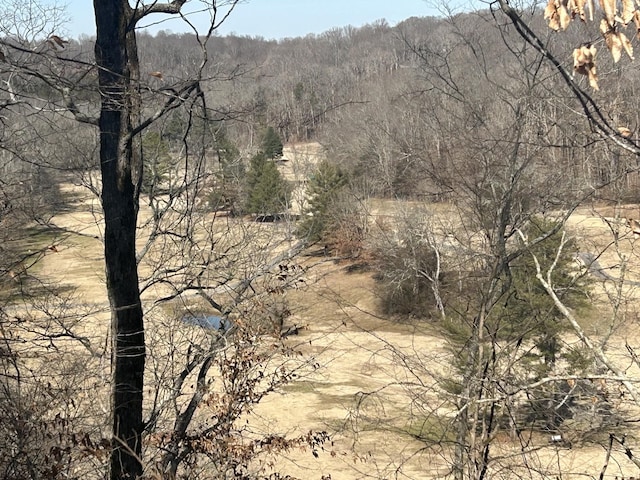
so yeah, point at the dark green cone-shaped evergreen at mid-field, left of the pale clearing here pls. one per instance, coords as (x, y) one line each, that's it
(268, 192)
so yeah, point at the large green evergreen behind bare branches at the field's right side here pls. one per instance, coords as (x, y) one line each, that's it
(529, 315)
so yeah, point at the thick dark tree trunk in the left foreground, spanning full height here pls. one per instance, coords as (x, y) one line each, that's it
(117, 60)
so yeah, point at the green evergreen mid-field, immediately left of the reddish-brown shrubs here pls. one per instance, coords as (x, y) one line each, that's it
(324, 188)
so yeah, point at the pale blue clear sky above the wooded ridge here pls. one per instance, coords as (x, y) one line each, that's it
(275, 19)
